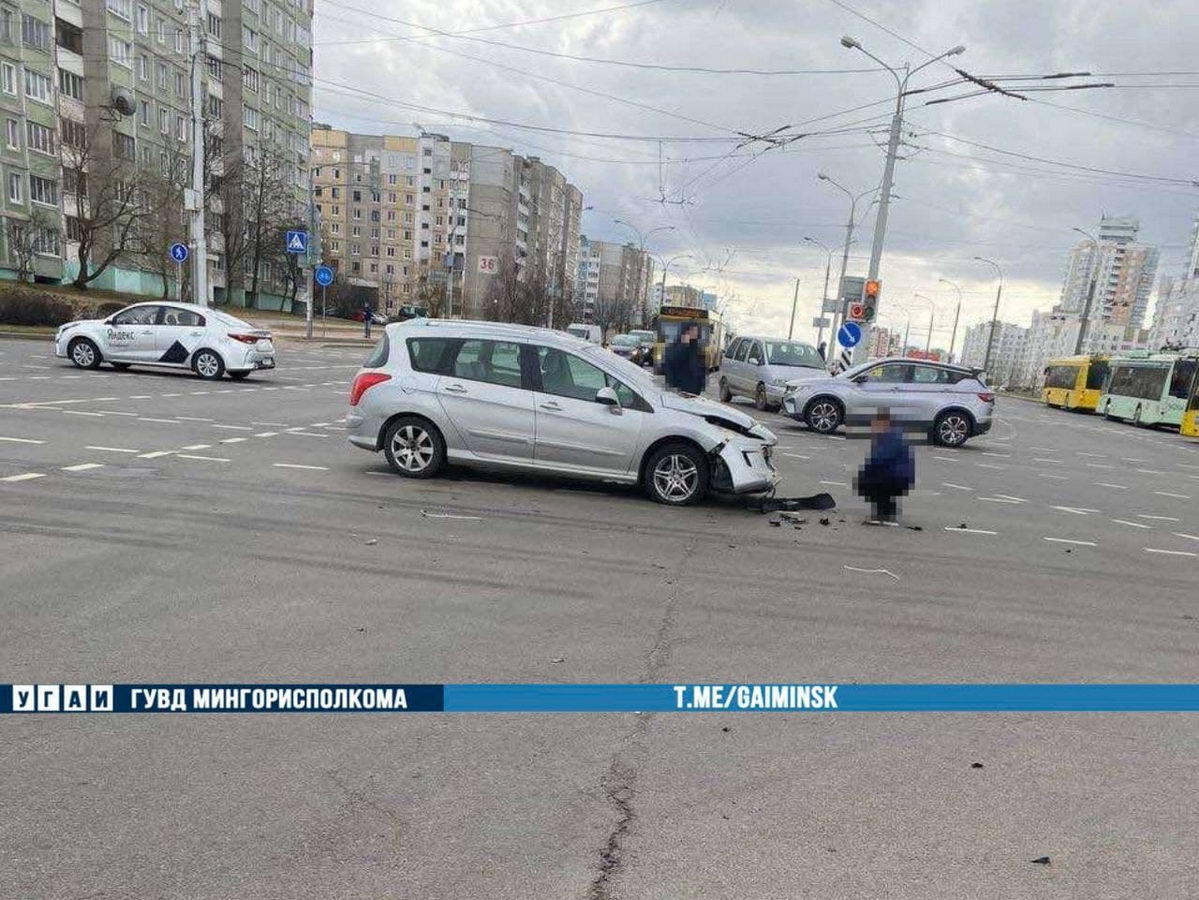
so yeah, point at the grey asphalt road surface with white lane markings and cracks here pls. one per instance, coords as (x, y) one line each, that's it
(161, 529)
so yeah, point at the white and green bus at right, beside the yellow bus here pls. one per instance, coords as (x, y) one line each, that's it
(1150, 390)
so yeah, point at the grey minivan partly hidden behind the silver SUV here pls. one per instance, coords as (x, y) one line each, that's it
(761, 369)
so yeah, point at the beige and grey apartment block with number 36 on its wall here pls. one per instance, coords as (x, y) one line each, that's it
(442, 224)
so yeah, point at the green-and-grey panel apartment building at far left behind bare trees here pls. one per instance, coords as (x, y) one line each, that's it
(98, 102)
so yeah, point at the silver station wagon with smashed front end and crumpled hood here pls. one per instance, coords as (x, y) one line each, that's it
(533, 400)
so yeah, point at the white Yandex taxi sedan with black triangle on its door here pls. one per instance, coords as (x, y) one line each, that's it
(180, 336)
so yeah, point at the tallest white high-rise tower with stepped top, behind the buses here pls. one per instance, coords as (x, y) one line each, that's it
(1123, 270)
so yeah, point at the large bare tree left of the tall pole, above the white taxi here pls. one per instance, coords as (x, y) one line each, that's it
(112, 204)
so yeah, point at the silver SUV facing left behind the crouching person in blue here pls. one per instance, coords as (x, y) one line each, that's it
(953, 403)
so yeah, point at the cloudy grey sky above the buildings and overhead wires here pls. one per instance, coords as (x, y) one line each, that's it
(967, 188)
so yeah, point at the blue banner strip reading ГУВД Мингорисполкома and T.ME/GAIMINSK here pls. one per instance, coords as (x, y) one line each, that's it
(806, 697)
